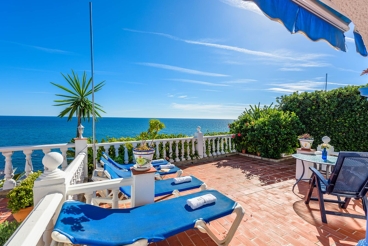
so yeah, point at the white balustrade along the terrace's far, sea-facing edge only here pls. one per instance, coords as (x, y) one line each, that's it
(174, 149)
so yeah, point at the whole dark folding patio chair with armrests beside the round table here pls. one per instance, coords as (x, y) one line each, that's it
(349, 179)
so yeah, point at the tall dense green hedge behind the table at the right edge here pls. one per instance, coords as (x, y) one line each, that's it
(341, 114)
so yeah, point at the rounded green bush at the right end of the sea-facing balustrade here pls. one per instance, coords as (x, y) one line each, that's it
(267, 131)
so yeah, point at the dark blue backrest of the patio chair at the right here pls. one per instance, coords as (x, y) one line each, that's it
(350, 175)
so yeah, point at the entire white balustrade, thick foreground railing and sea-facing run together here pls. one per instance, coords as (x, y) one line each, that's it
(56, 185)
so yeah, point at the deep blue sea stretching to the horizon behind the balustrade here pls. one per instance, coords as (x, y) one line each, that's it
(39, 130)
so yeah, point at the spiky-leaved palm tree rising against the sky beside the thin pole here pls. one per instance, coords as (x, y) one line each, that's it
(77, 102)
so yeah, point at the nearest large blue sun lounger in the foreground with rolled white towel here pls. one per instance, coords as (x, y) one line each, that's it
(81, 223)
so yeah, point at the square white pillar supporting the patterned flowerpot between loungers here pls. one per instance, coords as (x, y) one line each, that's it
(143, 188)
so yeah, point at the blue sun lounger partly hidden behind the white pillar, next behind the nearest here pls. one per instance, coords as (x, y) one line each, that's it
(162, 187)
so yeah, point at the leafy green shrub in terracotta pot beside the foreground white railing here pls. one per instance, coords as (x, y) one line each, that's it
(21, 197)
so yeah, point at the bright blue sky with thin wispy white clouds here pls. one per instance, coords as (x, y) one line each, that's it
(162, 59)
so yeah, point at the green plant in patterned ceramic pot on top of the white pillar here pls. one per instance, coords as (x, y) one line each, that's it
(143, 154)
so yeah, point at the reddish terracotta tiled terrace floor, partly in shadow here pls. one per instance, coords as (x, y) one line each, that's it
(274, 215)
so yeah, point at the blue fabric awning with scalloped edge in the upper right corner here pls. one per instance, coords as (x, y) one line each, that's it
(296, 19)
